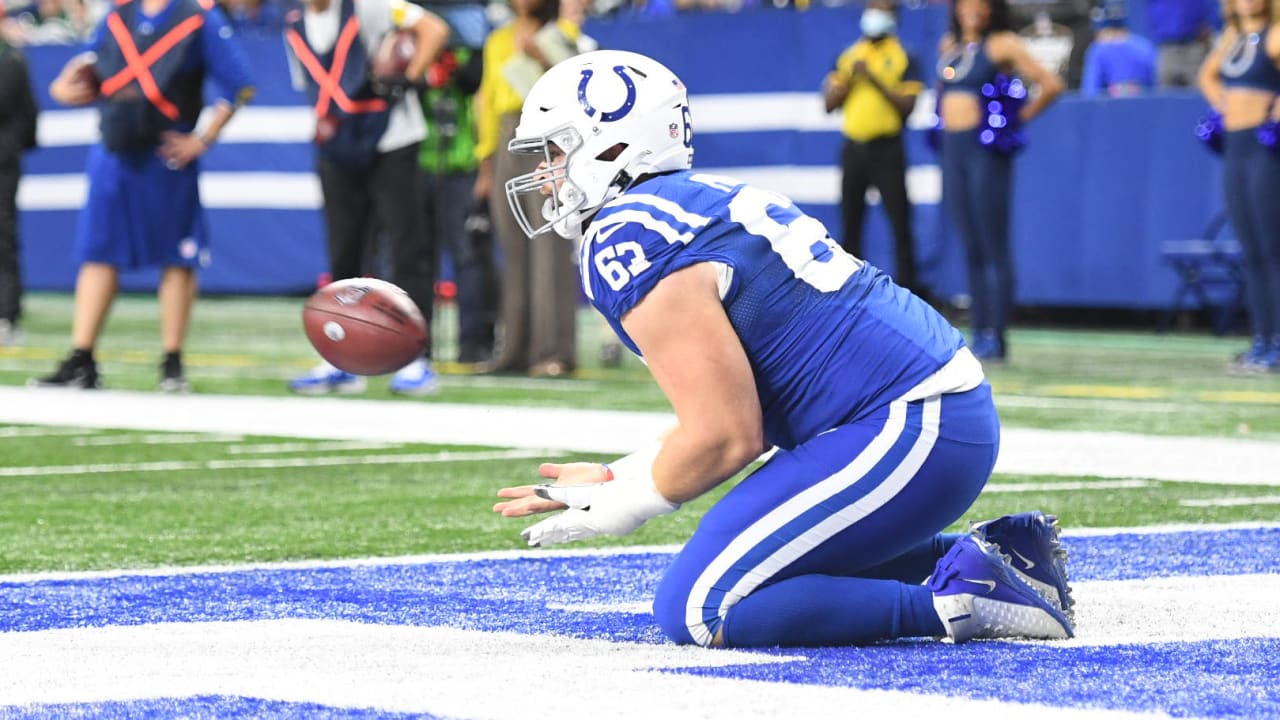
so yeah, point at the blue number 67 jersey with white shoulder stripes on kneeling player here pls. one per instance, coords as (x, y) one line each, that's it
(830, 338)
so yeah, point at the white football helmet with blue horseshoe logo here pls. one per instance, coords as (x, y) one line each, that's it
(588, 106)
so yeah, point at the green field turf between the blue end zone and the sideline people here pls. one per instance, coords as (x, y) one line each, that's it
(76, 499)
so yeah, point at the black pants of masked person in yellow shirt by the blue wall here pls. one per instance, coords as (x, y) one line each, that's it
(880, 163)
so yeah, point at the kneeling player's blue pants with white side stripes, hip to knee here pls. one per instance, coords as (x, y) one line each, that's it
(845, 502)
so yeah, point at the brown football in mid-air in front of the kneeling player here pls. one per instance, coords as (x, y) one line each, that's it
(365, 326)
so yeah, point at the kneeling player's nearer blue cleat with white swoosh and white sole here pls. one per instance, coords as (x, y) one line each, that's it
(979, 596)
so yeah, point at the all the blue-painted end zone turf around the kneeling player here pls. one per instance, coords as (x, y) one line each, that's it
(1215, 678)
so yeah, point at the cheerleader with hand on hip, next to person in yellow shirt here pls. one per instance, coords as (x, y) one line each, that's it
(977, 158)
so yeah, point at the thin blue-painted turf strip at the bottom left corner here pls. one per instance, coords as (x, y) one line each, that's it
(205, 708)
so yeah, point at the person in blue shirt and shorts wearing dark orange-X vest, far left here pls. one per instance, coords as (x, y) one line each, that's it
(152, 60)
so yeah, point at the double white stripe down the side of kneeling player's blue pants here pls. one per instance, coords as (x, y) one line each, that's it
(770, 525)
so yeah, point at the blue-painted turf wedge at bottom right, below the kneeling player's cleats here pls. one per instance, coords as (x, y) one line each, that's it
(1203, 680)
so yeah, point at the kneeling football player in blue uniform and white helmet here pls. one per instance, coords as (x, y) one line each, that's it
(752, 321)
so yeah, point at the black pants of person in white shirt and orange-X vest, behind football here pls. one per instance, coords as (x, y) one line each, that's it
(387, 195)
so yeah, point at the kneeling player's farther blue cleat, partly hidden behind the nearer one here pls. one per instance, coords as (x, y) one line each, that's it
(1035, 553)
